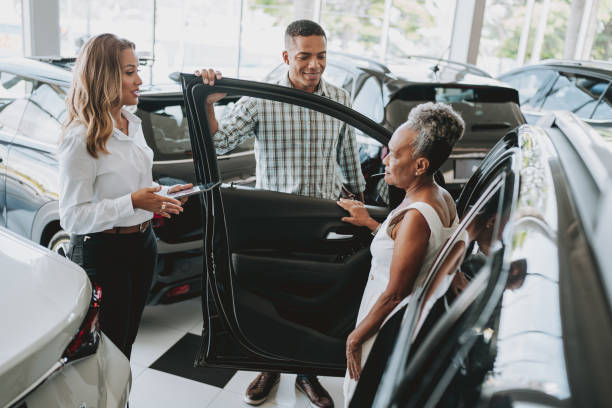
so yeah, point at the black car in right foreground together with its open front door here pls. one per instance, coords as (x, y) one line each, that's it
(284, 276)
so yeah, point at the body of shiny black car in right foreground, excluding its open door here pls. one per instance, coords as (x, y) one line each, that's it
(534, 325)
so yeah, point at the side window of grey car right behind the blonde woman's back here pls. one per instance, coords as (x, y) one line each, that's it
(44, 114)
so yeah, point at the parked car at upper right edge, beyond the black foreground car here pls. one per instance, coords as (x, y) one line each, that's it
(581, 87)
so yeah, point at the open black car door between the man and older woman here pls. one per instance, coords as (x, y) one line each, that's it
(283, 275)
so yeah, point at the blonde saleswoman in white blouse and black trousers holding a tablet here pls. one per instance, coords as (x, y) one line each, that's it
(107, 193)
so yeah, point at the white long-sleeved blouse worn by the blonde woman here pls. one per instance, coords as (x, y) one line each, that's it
(95, 194)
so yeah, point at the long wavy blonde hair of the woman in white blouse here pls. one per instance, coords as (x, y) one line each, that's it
(96, 89)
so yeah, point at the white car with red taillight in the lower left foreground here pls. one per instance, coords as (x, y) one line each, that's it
(52, 352)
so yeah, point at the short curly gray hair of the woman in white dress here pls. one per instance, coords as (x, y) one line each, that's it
(438, 129)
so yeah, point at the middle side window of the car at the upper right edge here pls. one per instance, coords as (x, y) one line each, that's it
(575, 93)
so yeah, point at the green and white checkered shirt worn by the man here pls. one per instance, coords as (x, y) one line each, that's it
(297, 149)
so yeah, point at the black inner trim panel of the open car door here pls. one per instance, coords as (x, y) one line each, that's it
(282, 254)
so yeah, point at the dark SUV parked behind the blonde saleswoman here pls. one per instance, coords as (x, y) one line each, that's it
(32, 109)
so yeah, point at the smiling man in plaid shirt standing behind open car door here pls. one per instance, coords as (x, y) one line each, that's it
(297, 150)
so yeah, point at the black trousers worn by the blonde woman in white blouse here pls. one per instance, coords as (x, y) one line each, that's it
(122, 265)
